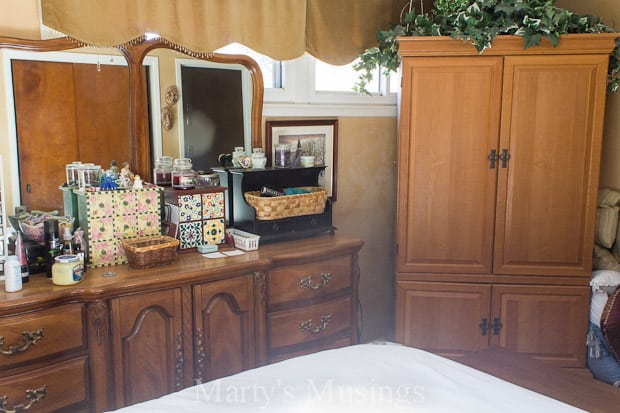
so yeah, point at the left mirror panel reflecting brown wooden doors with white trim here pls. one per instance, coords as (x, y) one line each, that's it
(66, 107)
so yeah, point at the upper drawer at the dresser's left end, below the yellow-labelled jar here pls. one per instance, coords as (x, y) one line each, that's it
(44, 333)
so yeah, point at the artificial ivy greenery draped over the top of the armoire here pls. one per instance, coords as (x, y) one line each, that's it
(480, 21)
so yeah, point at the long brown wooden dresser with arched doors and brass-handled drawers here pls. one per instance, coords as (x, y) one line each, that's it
(124, 335)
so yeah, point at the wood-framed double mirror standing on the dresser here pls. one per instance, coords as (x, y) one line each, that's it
(127, 124)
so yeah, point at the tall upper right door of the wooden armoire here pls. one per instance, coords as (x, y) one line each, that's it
(547, 194)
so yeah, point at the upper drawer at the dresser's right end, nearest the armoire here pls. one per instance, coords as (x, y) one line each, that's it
(309, 281)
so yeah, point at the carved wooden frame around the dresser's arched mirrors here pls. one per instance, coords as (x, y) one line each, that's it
(135, 53)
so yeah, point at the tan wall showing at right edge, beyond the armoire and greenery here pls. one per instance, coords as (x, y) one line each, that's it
(609, 11)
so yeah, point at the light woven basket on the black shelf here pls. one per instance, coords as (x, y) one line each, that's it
(277, 207)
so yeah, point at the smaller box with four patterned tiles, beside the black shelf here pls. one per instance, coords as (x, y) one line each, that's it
(199, 215)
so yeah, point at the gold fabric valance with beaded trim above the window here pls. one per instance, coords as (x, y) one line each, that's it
(335, 31)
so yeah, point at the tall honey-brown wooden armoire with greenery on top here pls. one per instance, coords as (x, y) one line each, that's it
(499, 158)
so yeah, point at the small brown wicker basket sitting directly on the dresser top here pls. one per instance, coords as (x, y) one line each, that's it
(150, 251)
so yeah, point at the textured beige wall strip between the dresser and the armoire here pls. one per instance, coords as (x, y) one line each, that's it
(366, 208)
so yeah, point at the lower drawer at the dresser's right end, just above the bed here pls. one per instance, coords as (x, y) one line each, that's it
(310, 323)
